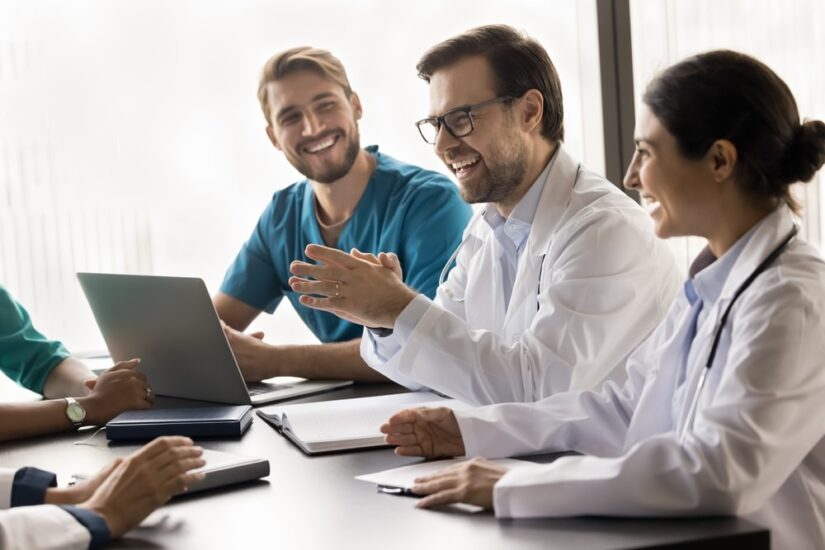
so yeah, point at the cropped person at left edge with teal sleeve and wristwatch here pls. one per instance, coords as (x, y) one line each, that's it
(46, 367)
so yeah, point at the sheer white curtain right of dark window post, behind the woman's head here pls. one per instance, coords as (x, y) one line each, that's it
(786, 35)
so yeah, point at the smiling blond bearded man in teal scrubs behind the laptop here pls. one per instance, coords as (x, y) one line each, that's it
(352, 197)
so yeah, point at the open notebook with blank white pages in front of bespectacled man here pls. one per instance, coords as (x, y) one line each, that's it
(346, 424)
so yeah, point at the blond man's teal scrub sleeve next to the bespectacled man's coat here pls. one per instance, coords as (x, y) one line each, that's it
(435, 221)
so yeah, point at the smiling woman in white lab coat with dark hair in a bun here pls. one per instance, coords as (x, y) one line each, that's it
(722, 409)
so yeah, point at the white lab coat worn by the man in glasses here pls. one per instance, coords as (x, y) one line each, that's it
(605, 283)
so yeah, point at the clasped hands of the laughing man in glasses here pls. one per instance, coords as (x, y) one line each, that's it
(356, 287)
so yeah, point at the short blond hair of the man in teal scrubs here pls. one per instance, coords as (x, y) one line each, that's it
(303, 58)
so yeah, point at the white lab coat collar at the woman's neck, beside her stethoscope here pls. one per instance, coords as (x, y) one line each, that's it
(767, 235)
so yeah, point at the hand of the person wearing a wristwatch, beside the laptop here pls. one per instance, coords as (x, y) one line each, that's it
(118, 389)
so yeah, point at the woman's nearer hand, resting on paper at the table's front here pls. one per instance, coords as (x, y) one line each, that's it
(471, 482)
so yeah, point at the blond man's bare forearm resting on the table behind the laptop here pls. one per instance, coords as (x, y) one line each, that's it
(341, 360)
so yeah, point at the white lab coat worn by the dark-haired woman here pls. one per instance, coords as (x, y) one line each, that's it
(756, 446)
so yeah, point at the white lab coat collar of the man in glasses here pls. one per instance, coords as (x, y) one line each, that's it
(554, 200)
